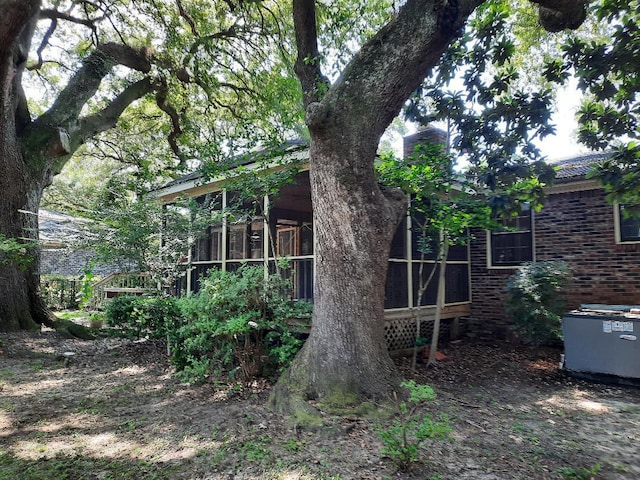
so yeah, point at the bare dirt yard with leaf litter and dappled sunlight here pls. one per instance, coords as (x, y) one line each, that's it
(113, 410)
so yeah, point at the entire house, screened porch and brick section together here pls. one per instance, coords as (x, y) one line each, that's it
(576, 225)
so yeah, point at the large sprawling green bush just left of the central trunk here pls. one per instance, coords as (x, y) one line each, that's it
(236, 323)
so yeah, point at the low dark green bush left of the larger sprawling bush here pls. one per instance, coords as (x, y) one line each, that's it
(143, 316)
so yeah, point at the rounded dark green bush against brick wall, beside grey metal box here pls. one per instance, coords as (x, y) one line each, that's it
(534, 301)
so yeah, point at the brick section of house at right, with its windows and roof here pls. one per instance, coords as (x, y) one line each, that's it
(576, 225)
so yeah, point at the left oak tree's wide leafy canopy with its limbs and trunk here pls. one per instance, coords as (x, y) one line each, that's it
(190, 74)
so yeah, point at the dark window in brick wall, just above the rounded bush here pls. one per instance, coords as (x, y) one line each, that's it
(513, 245)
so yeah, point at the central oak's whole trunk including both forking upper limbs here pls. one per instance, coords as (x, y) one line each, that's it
(354, 217)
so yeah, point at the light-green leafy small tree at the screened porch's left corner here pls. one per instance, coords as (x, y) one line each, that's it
(131, 229)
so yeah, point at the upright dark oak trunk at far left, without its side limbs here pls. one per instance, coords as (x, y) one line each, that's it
(20, 306)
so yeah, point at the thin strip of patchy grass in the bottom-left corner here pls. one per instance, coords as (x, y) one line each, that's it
(62, 467)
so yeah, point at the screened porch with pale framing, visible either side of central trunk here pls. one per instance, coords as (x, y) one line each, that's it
(288, 232)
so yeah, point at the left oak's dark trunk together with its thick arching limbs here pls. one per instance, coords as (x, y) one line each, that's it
(33, 151)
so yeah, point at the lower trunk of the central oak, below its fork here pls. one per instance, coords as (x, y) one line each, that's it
(346, 354)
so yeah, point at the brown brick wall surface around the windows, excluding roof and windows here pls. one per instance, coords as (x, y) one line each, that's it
(577, 227)
